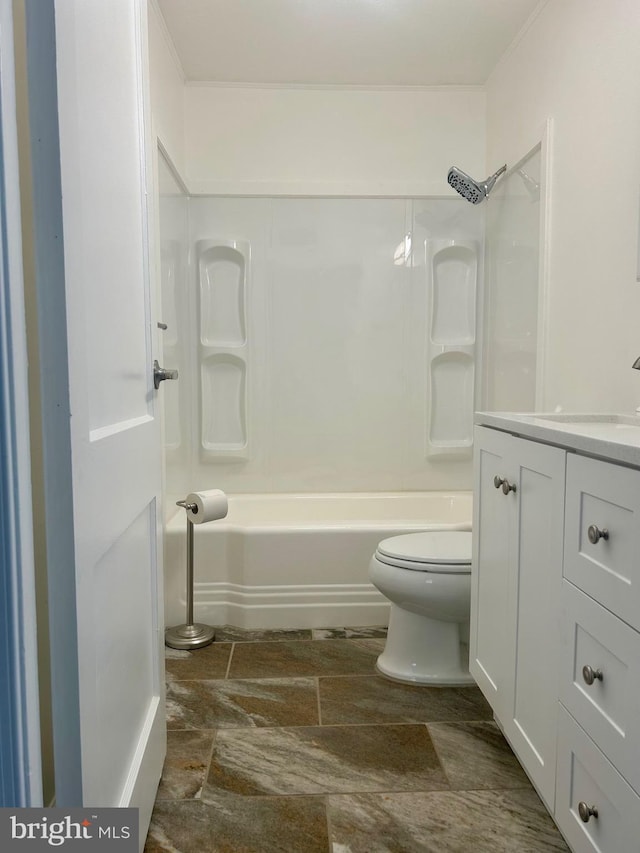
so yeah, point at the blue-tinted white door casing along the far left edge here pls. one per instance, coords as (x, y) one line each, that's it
(20, 755)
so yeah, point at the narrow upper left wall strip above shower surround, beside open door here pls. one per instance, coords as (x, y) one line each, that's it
(167, 90)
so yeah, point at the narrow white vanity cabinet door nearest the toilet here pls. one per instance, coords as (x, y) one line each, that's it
(490, 657)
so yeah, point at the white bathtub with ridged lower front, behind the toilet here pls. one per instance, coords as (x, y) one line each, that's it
(297, 561)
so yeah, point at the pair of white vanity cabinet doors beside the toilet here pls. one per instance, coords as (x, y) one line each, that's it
(515, 593)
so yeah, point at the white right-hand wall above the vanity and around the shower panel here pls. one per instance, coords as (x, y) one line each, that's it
(579, 63)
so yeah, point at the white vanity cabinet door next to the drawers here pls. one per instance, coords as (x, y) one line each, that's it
(535, 584)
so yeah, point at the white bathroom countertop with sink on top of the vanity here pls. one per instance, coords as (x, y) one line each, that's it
(615, 437)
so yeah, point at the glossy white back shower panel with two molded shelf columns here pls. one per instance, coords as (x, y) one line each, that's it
(321, 330)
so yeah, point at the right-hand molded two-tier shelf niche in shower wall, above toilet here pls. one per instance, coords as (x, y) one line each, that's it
(452, 276)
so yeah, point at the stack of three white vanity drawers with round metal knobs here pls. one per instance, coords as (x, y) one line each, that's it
(599, 733)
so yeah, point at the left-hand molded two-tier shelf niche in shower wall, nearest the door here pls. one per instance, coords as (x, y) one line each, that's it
(223, 282)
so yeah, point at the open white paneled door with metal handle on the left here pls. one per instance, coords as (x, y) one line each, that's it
(115, 430)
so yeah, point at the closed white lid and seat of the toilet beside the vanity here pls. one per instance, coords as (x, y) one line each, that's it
(441, 551)
